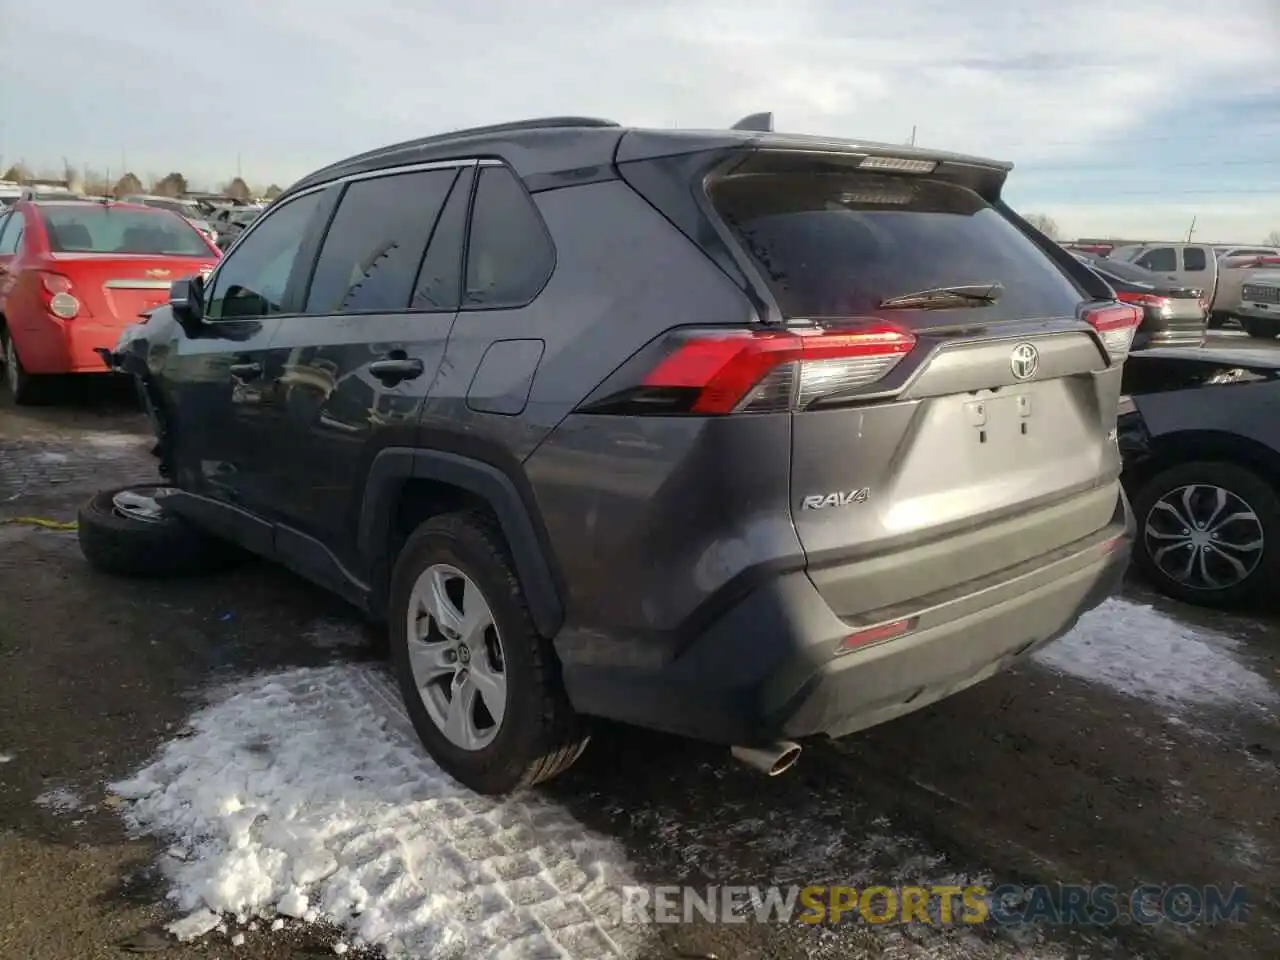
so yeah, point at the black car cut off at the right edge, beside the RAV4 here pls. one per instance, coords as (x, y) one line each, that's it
(1201, 446)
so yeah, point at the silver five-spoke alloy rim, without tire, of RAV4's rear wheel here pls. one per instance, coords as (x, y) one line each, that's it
(456, 657)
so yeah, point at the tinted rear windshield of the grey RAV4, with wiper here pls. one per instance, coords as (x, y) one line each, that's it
(839, 244)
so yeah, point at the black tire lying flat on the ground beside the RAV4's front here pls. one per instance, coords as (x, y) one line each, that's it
(164, 546)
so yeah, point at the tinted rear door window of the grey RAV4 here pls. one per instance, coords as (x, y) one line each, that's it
(376, 244)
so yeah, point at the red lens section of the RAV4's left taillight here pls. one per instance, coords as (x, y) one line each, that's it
(725, 367)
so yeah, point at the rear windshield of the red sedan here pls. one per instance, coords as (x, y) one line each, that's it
(106, 230)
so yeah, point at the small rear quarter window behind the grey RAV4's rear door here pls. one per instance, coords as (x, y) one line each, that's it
(510, 255)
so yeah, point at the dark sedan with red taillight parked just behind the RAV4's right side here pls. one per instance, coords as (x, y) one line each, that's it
(1173, 316)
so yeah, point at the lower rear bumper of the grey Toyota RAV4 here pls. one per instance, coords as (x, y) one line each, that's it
(767, 670)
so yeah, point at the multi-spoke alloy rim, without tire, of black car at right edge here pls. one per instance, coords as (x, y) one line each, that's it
(1204, 537)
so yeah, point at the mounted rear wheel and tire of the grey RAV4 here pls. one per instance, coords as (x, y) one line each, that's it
(481, 684)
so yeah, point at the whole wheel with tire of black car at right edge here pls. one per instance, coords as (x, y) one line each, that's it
(1209, 534)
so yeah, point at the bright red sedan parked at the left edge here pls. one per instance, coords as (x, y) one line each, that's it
(75, 273)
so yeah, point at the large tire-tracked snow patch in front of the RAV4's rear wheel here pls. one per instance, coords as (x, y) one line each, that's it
(307, 794)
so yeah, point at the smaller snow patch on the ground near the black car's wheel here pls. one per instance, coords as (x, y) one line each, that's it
(1137, 651)
